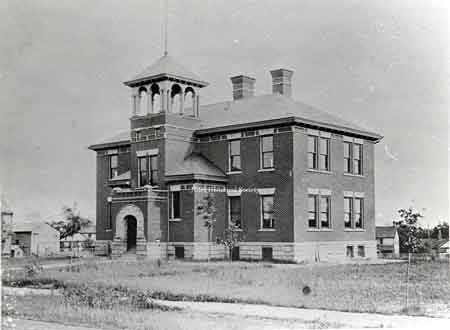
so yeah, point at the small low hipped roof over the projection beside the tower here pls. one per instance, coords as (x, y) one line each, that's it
(195, 166)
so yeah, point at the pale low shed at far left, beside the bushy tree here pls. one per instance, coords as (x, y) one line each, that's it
(38, 239)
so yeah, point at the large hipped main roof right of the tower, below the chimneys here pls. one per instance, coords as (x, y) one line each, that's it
(272, 107)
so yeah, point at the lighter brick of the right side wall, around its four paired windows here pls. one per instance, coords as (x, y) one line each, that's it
(337, 182)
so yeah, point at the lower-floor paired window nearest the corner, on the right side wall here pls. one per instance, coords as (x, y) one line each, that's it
(319, 211)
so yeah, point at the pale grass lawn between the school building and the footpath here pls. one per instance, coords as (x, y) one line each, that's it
(352, 287)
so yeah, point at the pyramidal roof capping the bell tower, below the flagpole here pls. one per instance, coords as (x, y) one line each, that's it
(166, 67)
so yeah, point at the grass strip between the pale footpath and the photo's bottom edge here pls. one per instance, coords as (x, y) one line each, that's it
(122, 317)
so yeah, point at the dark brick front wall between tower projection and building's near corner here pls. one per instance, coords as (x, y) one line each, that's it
(280, 179)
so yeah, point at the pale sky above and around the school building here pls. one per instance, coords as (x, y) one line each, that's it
(380, 64)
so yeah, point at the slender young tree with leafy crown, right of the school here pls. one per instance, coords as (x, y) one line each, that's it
(408, 222)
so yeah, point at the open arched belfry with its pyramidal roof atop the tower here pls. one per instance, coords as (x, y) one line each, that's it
(166, 87)
